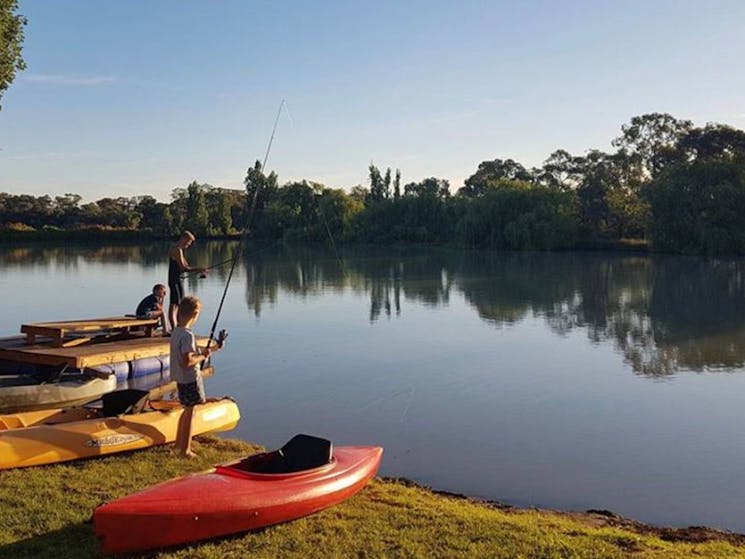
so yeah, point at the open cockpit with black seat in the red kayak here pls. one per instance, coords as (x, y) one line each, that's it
(301, 454)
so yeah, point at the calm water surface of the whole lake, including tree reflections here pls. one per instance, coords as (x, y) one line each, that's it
(567, 380)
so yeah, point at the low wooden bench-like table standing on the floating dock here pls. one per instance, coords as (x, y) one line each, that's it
(58, 331)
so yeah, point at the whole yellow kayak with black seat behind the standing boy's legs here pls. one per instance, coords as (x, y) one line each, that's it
(50, 436)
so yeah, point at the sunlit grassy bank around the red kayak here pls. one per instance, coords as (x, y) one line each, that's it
(46, 514)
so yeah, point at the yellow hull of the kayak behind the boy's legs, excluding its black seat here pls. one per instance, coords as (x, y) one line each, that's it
(100, 436)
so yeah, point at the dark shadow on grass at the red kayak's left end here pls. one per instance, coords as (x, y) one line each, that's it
(72, 542)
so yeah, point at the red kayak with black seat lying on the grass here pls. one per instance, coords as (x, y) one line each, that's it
(305, 476)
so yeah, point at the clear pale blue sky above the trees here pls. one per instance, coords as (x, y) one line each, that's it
(144, 96)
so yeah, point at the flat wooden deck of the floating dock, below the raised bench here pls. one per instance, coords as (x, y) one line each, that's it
(92, 354)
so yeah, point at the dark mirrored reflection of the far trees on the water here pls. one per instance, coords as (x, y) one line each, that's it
(663, 313)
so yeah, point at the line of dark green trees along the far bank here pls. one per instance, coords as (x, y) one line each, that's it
(678, 186)
